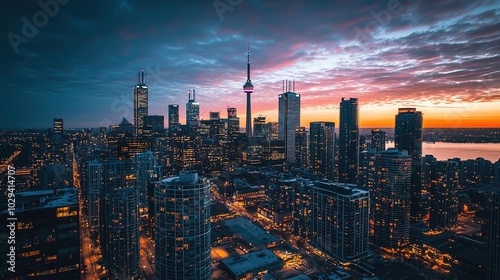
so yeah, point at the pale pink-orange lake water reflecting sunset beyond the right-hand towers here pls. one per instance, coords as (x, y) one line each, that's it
(445, 150)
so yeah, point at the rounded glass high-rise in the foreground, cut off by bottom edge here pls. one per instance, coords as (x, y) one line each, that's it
(182, 228)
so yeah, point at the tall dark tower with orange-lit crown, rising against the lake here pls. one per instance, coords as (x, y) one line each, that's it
(408, 136)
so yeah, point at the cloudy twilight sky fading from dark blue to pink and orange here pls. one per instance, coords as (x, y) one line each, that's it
(81, 62)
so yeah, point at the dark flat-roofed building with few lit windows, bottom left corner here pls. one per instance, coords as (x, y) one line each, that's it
(47, 238)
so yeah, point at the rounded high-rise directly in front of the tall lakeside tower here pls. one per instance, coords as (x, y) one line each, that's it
(391, 199)
